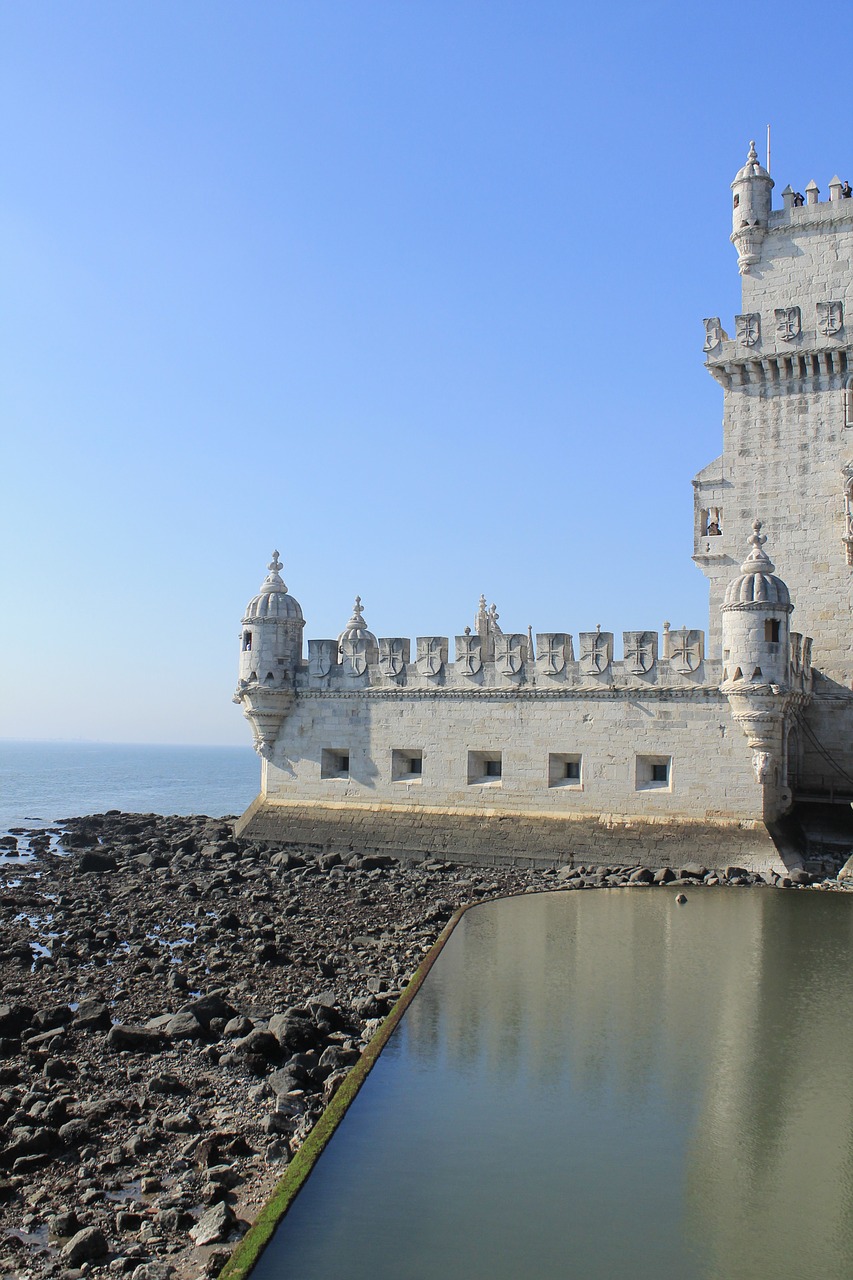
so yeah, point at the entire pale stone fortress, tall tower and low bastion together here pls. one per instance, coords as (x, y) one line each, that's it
(508, 747)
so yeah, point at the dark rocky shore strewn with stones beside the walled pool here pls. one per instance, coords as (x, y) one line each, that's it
(177, 1009)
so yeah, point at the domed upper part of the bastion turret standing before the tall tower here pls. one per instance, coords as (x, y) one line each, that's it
(756, 612)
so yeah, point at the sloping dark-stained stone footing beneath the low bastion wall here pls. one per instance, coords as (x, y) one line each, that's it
(495, 838)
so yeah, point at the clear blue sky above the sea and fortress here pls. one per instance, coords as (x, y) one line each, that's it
(410, 291)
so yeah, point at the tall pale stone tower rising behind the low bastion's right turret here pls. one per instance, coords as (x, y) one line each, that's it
(788, 410)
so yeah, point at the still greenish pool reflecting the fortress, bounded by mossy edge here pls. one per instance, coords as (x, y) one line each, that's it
(606, 1087)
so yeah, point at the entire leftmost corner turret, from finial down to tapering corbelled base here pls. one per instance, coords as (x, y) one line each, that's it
(271, 651)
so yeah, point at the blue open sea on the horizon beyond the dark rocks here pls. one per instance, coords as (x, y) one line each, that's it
(42, 783)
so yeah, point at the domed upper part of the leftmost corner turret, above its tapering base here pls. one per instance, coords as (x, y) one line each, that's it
(272, 636)
